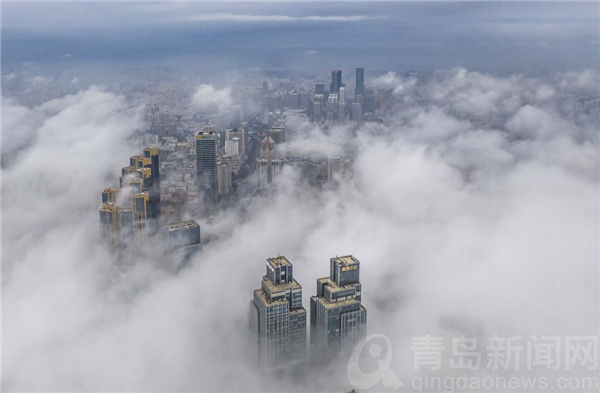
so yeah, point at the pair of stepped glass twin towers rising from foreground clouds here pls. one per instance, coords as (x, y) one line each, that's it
(278, 319)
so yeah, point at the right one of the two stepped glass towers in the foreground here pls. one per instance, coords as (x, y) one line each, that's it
(337, 318)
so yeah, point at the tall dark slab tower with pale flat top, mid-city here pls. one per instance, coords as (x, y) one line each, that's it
(206, 170)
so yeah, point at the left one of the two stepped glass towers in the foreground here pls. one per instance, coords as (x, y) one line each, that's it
(278, 318)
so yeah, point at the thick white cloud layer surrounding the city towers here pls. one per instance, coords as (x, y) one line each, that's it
(461, 228)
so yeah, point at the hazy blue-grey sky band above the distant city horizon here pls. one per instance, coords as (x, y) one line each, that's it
(204, 37)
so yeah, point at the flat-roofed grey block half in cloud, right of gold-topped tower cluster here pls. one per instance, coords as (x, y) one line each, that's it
(184, 241)
